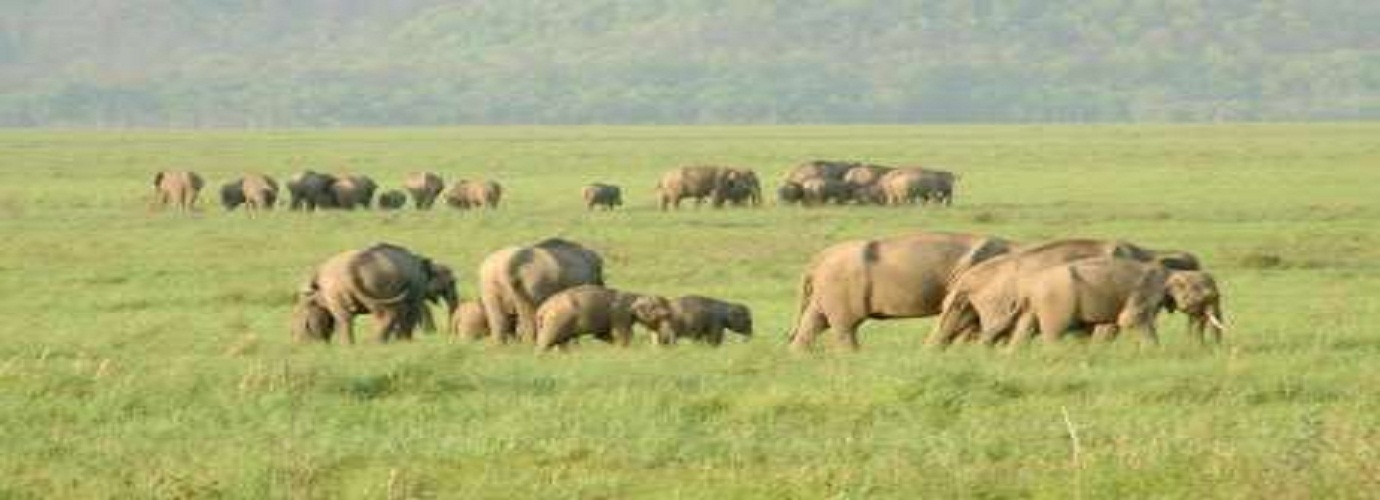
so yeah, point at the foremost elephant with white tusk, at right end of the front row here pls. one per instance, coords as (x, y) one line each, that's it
(1110, 295)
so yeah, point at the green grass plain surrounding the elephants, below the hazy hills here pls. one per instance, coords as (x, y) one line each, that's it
(148, 356)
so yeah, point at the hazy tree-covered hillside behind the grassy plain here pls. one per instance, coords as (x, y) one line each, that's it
(365, 63)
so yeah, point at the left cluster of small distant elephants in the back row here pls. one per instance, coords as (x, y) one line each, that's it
(315, 191)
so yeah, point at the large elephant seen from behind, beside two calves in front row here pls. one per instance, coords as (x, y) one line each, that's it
(515, 281)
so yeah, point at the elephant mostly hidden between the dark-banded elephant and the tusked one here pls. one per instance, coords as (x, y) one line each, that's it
(983, 302)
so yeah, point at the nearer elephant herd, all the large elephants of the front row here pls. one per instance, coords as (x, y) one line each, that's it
(983, 289)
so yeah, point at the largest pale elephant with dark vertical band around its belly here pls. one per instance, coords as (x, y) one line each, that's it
(902, 277)
